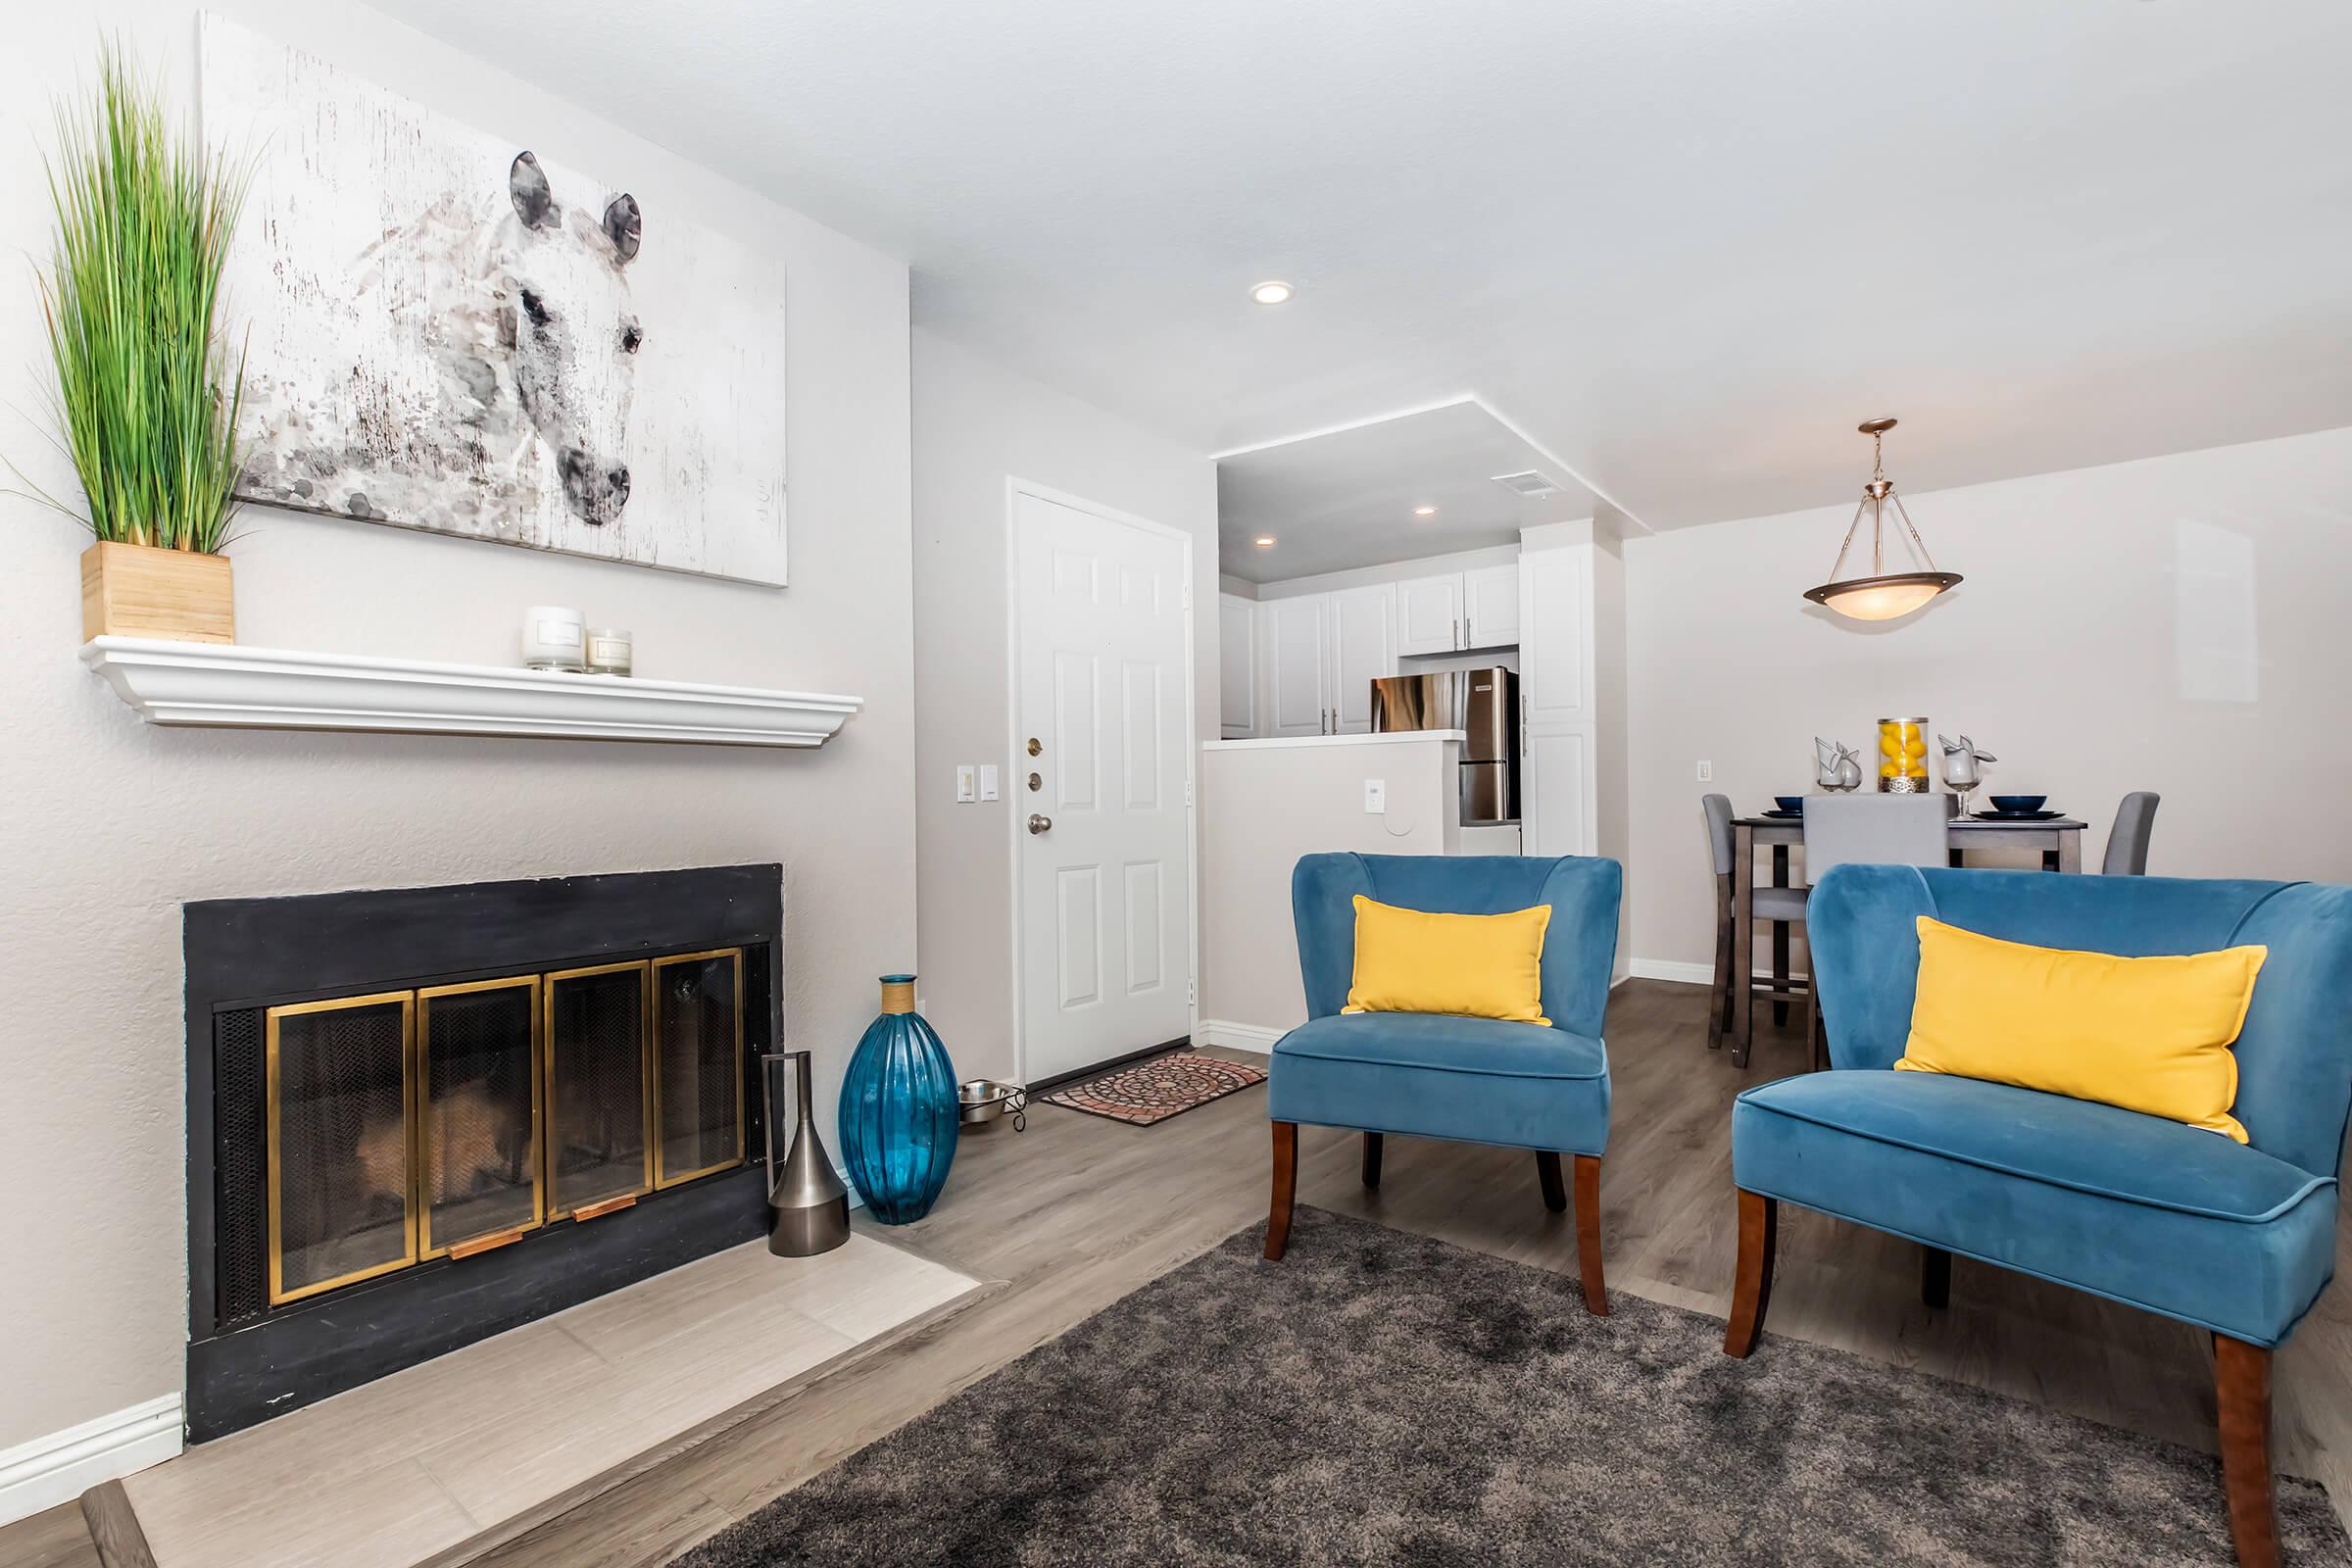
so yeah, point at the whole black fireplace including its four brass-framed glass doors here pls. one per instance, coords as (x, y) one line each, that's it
(427, 1115)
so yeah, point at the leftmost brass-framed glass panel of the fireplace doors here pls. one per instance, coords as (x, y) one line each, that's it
(340, 1148)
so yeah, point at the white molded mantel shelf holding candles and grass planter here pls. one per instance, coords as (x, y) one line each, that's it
(232, 688)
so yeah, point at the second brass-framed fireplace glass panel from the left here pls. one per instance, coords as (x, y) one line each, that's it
(479, 1113)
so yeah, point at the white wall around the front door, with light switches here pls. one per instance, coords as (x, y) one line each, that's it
(977, 427)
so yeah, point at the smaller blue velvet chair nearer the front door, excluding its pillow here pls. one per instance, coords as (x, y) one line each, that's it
(1476, 1080)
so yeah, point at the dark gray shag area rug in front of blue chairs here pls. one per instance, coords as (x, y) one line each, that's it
(1391, 1400)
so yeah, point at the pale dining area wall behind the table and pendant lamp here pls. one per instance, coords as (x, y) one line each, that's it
(2174, 624)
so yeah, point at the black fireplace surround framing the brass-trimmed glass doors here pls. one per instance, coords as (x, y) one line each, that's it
(250, 1360)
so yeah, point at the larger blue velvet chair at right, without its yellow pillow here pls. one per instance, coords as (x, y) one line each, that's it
(2146, 1212)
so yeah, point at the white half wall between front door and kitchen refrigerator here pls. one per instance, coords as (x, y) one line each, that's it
(1267, 805)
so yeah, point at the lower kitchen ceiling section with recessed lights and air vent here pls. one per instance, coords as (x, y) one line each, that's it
(1347, 497)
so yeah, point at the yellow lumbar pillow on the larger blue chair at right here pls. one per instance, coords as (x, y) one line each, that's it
(2151, 1036)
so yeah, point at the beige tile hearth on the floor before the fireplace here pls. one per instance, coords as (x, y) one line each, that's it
(455, 1449)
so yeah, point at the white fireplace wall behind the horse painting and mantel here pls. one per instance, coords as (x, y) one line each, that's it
(112, 826)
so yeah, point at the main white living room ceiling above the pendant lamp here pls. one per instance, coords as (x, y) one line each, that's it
(1683, 246)
